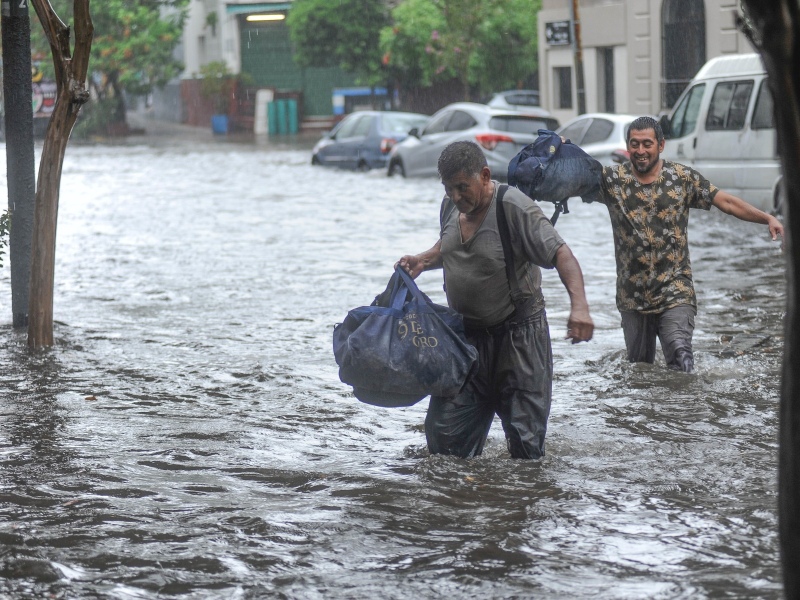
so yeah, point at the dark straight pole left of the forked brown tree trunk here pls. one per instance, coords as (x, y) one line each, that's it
(20, 159)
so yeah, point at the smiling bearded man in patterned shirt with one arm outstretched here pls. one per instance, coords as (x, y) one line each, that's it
(648, 200)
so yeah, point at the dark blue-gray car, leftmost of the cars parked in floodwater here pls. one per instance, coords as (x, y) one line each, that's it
(362, 140)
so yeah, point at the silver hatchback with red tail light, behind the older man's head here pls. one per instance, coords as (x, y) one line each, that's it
(500, 133)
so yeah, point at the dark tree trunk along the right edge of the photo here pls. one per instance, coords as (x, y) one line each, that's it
(777, 25)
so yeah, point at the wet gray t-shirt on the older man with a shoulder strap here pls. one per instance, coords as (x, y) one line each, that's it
(475, 275)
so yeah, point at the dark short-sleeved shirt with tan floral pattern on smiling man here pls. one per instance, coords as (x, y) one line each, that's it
(651, 241)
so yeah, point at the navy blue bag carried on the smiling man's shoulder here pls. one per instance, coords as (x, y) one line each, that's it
(550, 170)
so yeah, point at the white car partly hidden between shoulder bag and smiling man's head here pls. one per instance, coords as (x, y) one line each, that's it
(600, 135)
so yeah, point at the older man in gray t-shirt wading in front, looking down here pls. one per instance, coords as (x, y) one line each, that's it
(515, 374)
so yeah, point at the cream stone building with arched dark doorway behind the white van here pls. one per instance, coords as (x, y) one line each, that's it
(637, 55)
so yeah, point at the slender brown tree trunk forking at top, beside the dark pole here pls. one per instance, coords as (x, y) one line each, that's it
(71, 95)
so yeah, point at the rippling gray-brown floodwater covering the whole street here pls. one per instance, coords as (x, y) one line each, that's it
(188, 436)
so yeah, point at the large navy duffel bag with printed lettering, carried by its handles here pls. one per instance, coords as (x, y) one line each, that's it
(396, 354)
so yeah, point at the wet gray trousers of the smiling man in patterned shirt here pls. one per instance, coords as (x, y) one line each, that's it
(673, 327)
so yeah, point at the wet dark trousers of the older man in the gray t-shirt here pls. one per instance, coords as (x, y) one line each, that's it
(514, 380)
